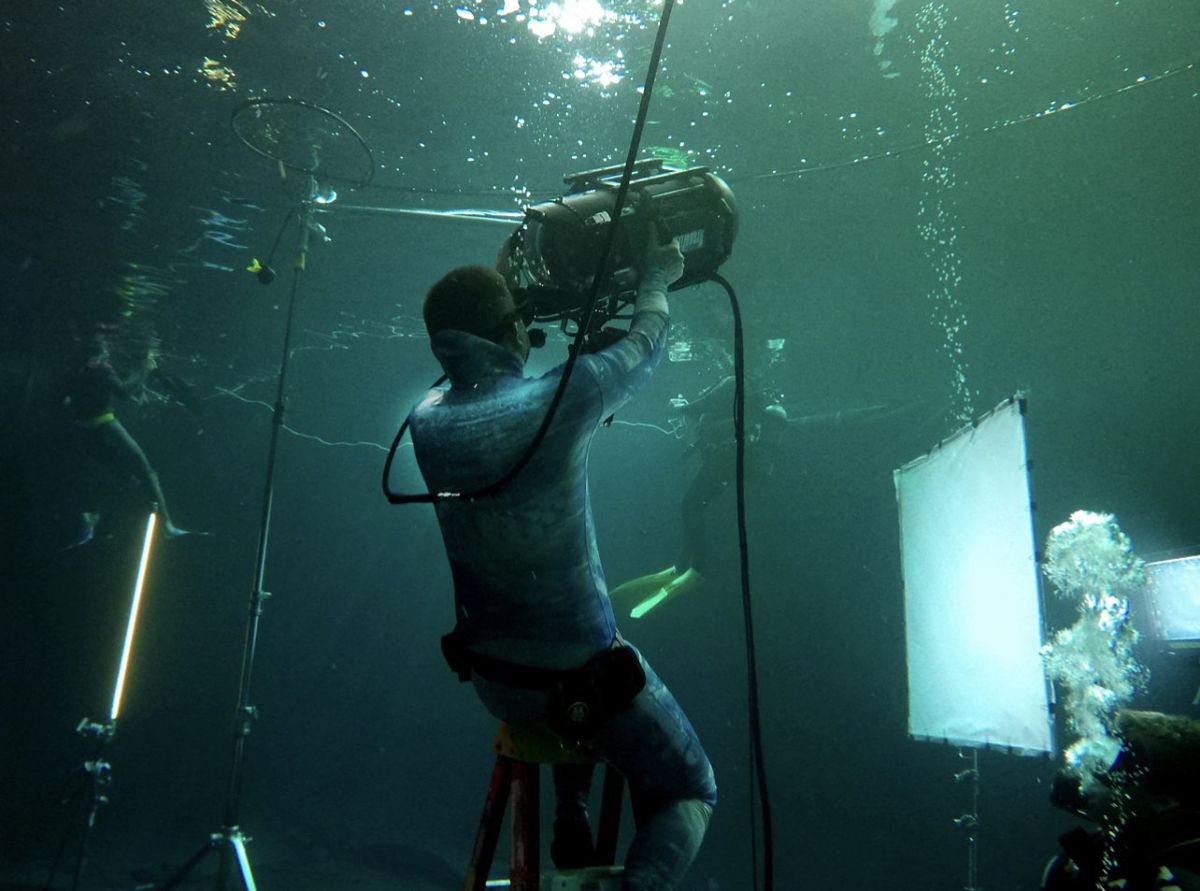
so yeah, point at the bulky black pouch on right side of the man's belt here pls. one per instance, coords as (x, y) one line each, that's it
(583, 701)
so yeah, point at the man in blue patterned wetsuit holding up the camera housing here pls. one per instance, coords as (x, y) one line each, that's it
(531, 600)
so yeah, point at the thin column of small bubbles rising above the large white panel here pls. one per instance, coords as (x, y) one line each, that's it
(938, 220)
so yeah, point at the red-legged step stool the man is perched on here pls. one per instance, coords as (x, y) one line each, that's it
(520, 754)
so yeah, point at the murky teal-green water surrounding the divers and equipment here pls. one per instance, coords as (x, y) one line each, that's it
(1077, 241)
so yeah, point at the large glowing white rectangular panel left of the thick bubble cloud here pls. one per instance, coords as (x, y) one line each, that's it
(973, 606)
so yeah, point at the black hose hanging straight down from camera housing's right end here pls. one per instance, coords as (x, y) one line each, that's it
(740, 435)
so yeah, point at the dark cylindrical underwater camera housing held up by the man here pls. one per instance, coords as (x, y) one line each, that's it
(551, 261)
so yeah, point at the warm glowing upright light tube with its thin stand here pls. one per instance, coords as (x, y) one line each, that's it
(98, 772)
